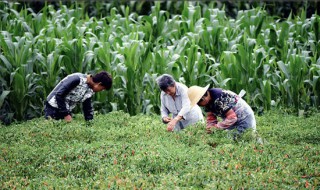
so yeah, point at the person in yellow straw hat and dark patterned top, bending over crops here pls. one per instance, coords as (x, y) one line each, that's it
(234, 111)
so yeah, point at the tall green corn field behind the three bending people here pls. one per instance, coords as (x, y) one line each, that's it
(275, 61)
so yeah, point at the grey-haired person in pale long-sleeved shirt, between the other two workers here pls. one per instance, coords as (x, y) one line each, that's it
(175, 101)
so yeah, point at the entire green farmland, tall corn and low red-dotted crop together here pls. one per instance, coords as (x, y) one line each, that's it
(275, 60)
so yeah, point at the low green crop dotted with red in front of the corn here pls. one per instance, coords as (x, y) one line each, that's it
(129, 152)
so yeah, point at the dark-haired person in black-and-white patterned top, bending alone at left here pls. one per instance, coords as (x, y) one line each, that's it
(73, 89)
